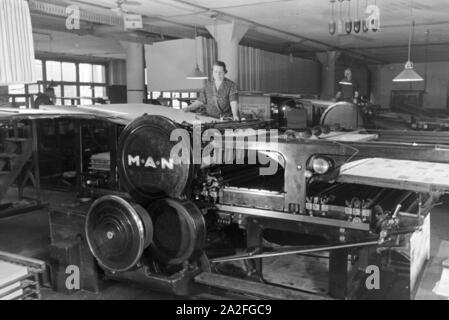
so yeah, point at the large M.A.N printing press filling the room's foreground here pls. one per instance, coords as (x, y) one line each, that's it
(184, 228)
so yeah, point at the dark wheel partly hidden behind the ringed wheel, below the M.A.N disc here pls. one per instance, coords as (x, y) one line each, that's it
(179, 231)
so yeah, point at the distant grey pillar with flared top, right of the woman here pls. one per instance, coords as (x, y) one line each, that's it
(328, 60)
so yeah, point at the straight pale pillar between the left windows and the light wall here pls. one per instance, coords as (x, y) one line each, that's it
(135, 72)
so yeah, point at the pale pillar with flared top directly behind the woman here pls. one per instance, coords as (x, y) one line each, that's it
(228, 37)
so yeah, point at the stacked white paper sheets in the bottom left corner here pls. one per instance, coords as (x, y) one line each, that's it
(8, 273)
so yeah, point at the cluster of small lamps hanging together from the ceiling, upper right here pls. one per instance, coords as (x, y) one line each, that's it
(370, 20)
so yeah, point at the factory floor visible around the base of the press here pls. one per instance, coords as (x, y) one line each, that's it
(28, 234)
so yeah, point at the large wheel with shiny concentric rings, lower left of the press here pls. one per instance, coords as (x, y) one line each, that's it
(117, 232)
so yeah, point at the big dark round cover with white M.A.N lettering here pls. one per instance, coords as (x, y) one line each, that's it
(145, 167)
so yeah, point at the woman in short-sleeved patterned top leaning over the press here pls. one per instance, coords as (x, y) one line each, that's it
(219, 95)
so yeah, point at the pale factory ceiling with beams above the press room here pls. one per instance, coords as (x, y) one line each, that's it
(297, 26)
